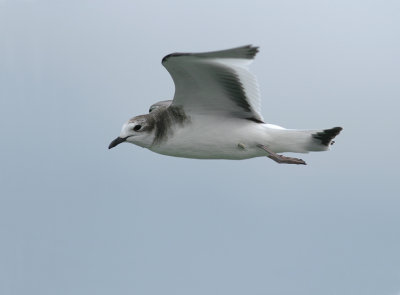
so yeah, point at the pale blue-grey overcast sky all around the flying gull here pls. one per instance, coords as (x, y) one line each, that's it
(77, 218)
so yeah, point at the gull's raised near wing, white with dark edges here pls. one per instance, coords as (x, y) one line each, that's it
(216, 82)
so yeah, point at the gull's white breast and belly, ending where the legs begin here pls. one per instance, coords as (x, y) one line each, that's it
(215, 138)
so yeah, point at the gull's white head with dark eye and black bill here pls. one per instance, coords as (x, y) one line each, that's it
(138, 130)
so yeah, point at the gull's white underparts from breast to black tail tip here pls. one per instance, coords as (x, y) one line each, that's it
(210, 137)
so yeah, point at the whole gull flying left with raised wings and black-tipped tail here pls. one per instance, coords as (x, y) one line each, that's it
(216, 114)
